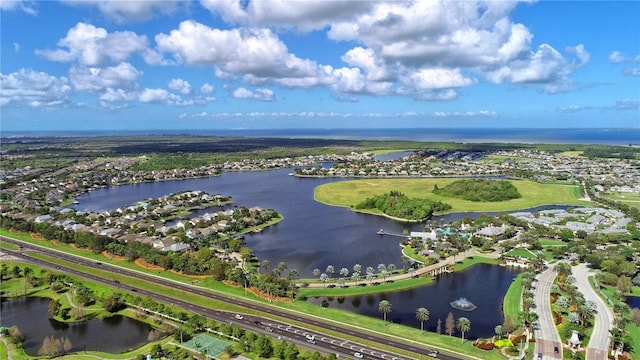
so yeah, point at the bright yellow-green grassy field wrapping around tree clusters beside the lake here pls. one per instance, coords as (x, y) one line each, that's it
(351, 192)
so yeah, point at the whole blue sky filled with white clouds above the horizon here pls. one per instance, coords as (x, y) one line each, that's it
(264, 64)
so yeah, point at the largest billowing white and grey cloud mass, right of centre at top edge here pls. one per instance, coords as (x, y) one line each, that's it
(402, 39)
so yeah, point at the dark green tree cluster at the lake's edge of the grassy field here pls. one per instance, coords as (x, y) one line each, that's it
(398, 205)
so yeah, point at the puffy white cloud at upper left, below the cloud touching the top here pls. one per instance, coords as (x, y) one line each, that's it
(94, 46)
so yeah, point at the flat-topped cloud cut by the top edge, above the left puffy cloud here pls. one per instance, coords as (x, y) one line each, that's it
(125, 11)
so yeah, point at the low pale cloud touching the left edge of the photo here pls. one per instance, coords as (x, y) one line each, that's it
(37, 89)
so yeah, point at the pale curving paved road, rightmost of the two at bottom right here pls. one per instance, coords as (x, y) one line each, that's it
(599, 343)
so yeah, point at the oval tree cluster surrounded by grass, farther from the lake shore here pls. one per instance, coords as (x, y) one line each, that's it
(480, 190)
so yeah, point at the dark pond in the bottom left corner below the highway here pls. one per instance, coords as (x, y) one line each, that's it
(115, 334)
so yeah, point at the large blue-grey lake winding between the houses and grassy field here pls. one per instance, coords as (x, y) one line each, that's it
(312, 235)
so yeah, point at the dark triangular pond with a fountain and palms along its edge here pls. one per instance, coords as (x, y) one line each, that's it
(482, 284)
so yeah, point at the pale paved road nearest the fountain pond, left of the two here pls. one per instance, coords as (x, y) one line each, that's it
(547, 337)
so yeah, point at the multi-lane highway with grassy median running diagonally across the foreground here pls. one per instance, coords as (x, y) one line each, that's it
(279, 329)
